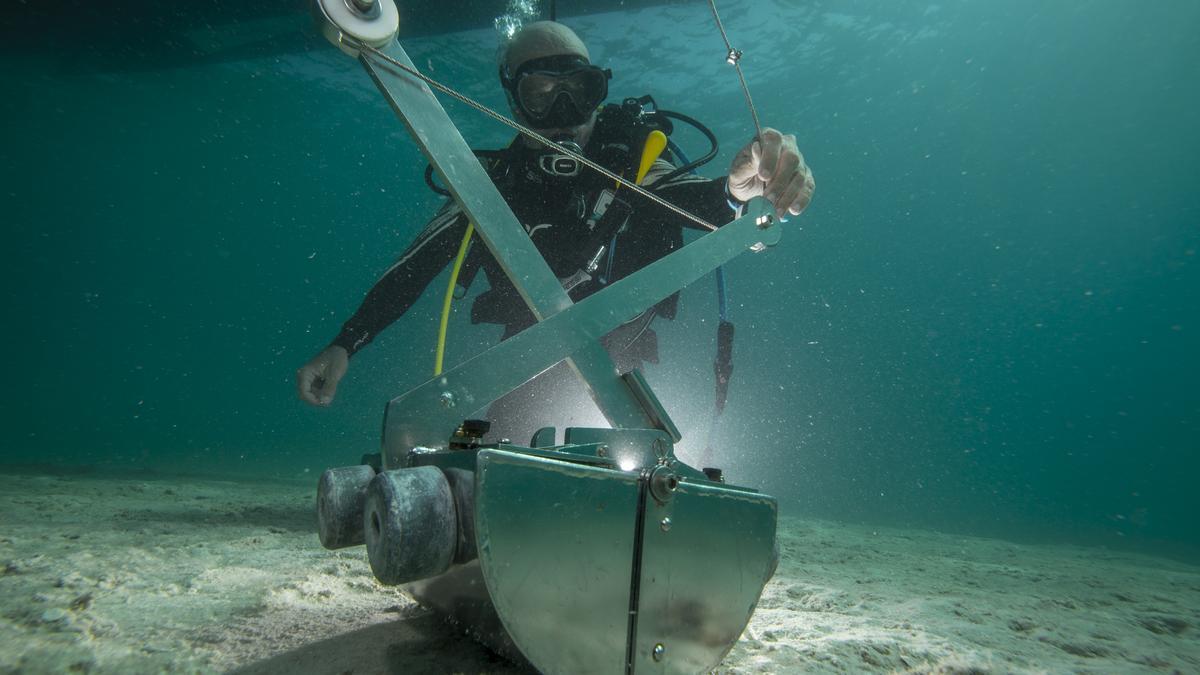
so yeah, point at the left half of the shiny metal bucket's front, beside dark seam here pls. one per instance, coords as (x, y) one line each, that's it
(556, 546)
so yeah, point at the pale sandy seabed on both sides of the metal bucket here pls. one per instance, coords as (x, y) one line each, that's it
(185, 576)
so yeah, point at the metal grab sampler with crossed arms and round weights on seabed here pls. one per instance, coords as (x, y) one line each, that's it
(603, 555)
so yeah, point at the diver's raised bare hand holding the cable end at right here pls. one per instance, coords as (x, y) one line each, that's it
(773, 168)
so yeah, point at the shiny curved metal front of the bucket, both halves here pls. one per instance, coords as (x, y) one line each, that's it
(557, 552)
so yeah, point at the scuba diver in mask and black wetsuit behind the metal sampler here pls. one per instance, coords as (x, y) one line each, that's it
(587, 230)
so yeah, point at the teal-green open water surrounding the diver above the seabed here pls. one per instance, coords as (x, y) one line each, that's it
(987, 322)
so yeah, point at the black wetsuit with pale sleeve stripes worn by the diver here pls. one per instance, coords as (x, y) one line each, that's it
(555, 213)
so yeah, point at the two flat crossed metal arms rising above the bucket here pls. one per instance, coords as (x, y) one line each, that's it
(425, 416)
